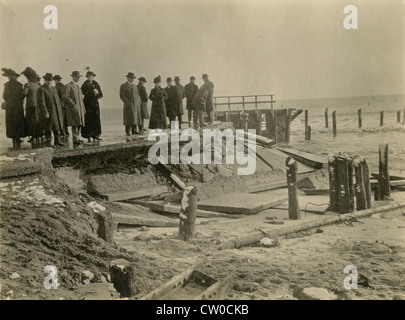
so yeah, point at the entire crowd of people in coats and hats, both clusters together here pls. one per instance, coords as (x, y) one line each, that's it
(53, 108)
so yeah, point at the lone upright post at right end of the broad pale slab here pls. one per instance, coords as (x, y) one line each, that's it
(293, 204)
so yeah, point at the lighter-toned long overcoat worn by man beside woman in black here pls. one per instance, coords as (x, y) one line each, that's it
(74, 104)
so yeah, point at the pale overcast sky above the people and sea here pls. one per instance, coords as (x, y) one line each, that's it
(292, 48)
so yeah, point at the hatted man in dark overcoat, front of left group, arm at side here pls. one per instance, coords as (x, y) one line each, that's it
(50, 111)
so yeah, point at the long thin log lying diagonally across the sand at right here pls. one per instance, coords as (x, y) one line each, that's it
(255, 237)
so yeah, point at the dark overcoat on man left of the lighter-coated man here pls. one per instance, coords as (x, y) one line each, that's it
(49, 104)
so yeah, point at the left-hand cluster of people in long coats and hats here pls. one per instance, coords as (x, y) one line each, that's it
(51, 109)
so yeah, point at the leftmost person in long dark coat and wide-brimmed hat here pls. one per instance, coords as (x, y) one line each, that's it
(13, 104)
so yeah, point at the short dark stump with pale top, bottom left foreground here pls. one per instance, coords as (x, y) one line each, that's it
(123, 277)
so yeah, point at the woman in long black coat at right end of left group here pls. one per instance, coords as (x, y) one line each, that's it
(92, 93)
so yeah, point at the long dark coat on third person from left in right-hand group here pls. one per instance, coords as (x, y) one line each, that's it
(158, 96)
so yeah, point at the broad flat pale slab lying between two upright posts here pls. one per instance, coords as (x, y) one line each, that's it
(243, 203)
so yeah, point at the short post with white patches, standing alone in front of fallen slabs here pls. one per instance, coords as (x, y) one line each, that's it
(188, 213)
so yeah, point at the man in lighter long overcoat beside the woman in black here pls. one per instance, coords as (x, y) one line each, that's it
(74, 106)
